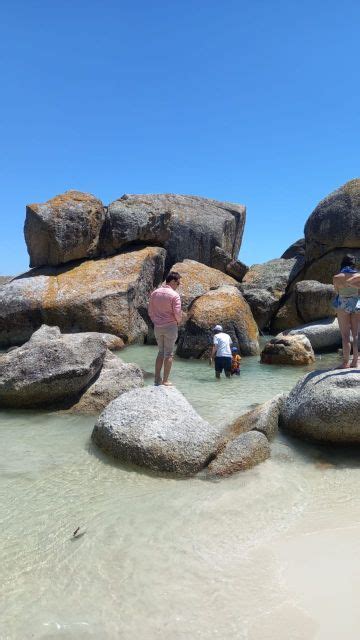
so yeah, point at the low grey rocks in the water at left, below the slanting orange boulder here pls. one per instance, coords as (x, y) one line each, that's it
(76, 372)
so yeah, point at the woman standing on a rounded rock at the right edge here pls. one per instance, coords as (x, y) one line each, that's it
(347, 303)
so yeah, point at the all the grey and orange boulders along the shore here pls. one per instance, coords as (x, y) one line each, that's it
(94, 267)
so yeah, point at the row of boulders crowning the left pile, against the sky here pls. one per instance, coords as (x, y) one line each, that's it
(76, 225)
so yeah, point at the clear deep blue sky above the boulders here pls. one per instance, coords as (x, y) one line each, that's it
(254, 101)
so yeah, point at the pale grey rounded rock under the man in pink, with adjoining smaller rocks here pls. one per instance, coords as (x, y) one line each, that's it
(158, 429)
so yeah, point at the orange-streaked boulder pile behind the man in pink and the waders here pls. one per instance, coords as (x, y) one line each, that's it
(95, 267)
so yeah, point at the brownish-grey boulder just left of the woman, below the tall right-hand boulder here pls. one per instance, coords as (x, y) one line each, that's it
(307, 301)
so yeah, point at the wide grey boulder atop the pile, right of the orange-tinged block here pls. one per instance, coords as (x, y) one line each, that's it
(187, 226)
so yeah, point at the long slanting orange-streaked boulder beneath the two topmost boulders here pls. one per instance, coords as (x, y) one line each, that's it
(107, 295)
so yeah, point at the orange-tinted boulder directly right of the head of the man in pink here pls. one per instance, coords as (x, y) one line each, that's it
(197, 279)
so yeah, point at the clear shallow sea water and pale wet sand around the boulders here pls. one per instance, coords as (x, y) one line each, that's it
(269, 554)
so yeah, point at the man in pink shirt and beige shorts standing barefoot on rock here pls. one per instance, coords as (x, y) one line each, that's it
(165, 312)
